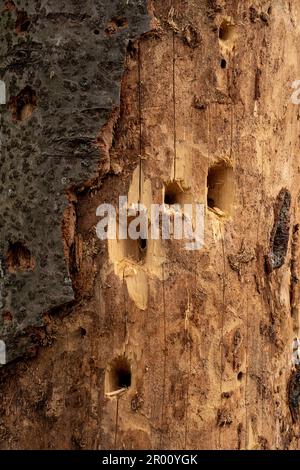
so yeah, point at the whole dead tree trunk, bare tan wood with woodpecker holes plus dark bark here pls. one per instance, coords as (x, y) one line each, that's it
(207, 335)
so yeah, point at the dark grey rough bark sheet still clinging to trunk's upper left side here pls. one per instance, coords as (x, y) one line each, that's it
(57, 153)
